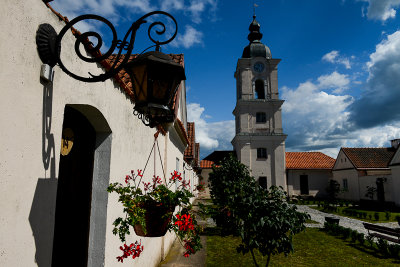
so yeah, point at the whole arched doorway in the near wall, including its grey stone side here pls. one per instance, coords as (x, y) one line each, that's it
(81, 207)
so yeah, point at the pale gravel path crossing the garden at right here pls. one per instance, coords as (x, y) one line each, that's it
(354, 224)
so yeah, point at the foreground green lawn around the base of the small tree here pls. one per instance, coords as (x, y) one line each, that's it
(312, 248)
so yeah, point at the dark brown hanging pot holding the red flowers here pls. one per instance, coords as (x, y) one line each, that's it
(157, 220)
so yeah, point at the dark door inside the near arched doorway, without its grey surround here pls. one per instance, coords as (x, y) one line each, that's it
(71, 233)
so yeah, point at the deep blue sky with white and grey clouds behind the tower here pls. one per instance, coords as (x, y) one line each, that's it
(339, 74)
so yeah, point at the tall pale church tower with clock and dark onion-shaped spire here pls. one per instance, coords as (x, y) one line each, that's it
(259, 142)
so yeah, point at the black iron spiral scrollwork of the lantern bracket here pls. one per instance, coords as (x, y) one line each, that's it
(126, 44)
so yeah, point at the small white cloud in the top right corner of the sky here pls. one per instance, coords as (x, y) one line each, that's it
(382, 9)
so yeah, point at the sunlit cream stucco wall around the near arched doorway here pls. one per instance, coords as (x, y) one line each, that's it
(25, 144)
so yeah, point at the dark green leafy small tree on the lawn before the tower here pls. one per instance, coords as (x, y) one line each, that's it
(262, 218)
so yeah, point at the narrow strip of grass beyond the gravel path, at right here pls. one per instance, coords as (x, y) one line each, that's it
(370, 214)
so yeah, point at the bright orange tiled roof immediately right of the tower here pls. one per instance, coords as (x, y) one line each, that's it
(308, 160)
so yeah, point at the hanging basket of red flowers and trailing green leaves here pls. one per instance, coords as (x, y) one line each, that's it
(149, 208)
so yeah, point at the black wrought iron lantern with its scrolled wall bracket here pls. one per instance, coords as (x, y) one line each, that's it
(49, 48)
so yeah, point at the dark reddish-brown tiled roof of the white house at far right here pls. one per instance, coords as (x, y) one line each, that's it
(369, 157)
